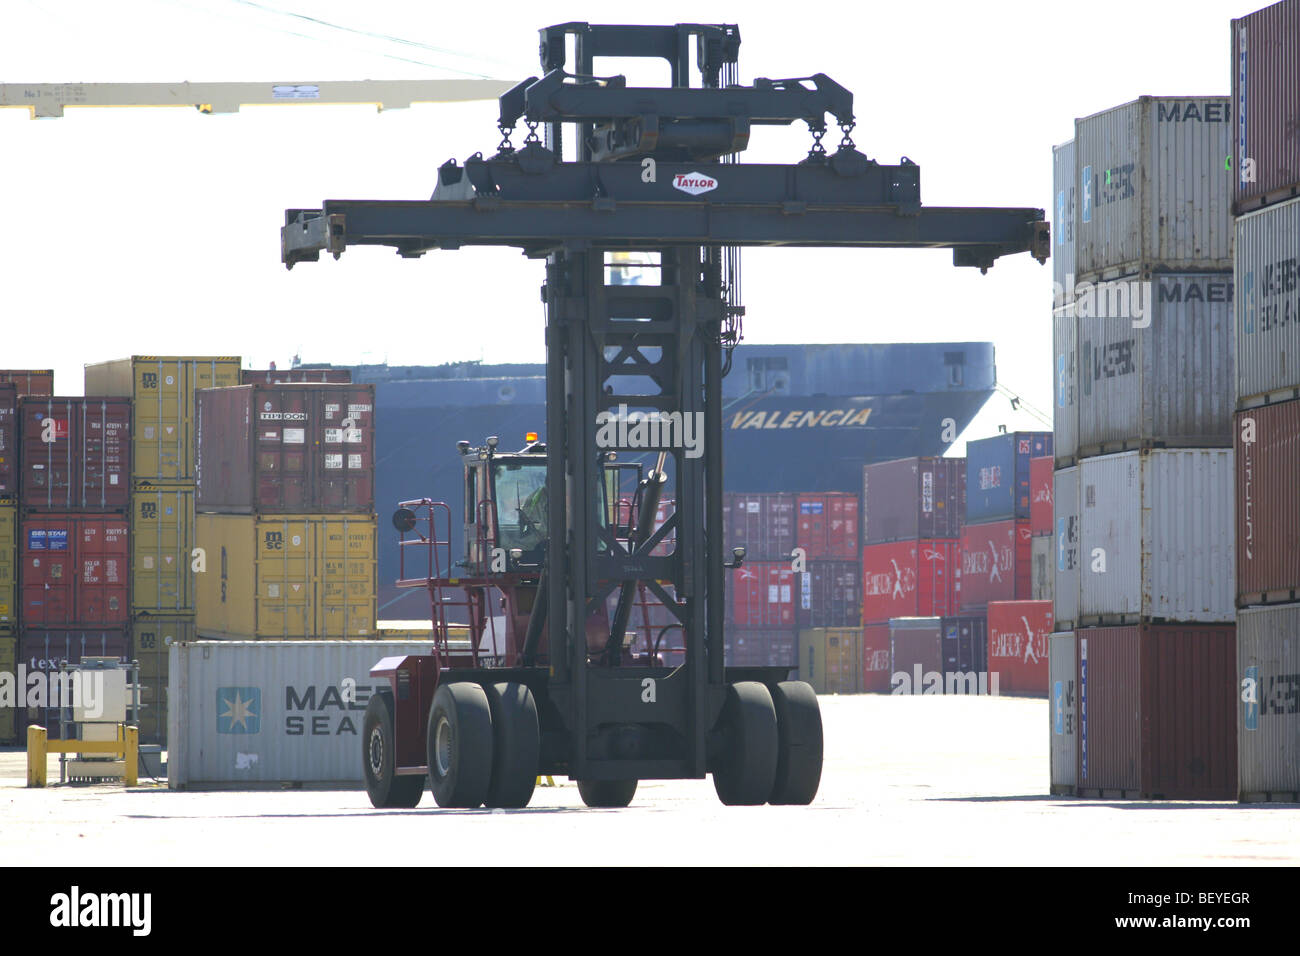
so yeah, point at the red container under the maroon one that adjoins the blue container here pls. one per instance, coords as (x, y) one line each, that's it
(911, 579)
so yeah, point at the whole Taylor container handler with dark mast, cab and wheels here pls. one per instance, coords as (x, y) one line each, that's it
(554, 535)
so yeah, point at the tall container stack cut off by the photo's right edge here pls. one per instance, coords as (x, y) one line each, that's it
(1267, 429)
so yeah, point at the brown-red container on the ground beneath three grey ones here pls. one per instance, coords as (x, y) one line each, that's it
(1158, 712)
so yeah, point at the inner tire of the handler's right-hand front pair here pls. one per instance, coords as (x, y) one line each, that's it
(748, 771)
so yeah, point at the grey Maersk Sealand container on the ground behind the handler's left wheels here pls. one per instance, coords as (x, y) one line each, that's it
(271, 712)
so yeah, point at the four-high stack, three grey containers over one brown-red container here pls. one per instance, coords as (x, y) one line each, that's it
(1142, 663)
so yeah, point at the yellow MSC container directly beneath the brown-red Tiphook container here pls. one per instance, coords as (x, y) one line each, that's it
(287, 577)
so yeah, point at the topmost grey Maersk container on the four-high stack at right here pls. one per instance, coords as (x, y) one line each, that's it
(1154, 189)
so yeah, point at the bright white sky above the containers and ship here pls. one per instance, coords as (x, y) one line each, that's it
(158, 231)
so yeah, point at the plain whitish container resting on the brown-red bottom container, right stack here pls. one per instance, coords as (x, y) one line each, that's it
(1158, 538)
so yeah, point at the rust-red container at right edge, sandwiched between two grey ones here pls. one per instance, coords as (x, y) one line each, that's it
(1268, 504)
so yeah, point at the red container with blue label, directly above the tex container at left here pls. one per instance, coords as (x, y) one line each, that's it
(73, 570)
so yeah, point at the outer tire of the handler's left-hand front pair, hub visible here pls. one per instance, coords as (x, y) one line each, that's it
(460, 746)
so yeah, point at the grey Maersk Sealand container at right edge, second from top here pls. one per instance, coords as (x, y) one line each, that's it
(1268, 305)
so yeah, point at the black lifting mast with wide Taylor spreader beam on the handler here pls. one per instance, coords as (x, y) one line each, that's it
(655, 174)
